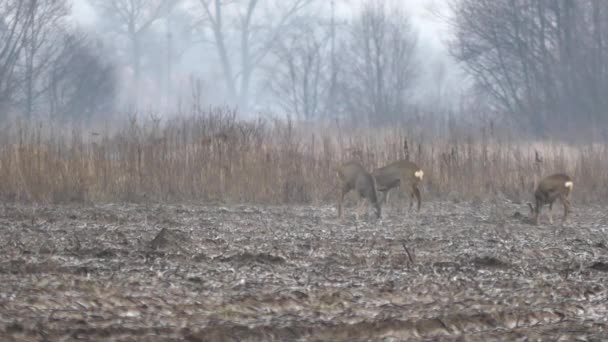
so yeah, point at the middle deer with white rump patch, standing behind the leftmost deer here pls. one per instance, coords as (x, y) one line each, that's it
(401, 173)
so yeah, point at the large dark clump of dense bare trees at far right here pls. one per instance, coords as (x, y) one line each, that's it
(543, 61)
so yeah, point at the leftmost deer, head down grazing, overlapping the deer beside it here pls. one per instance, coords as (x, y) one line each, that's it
(352, 176)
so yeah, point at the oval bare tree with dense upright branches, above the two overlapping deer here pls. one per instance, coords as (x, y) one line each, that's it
(380, 65)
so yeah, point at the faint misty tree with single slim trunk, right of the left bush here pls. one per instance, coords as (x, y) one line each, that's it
(133, 19)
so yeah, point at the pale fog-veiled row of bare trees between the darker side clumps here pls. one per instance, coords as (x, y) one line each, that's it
(304, 58)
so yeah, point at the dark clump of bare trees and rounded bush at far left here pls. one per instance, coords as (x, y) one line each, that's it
(49, 67)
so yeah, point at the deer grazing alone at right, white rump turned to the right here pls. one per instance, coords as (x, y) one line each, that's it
(550, 188)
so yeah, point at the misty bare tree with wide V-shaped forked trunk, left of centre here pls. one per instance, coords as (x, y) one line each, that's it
(255, 26)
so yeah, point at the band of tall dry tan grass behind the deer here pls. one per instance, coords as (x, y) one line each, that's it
(214, 157)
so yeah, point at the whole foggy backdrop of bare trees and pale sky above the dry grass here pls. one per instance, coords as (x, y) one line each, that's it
(368, 62)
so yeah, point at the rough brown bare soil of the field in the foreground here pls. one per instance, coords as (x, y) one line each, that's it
(473, 271)
